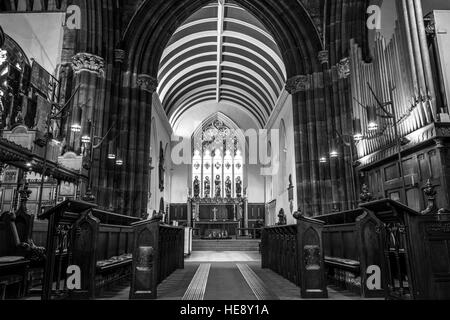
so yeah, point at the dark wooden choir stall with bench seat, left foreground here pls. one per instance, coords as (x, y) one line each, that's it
(77, 236)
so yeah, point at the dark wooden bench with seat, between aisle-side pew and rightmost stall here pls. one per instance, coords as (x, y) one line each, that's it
(352, 242)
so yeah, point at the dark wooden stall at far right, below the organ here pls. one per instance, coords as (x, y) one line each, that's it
(415, 247)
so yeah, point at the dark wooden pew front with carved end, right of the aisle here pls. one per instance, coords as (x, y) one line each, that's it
(296, 253)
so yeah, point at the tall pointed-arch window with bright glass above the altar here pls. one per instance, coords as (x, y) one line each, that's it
(217, 166)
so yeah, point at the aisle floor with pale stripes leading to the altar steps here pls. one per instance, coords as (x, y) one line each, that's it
(226, 276)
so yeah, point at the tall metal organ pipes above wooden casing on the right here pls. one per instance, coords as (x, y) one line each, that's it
(404, 64)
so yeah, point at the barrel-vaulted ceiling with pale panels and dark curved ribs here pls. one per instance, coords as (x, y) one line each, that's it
(224, 54)
